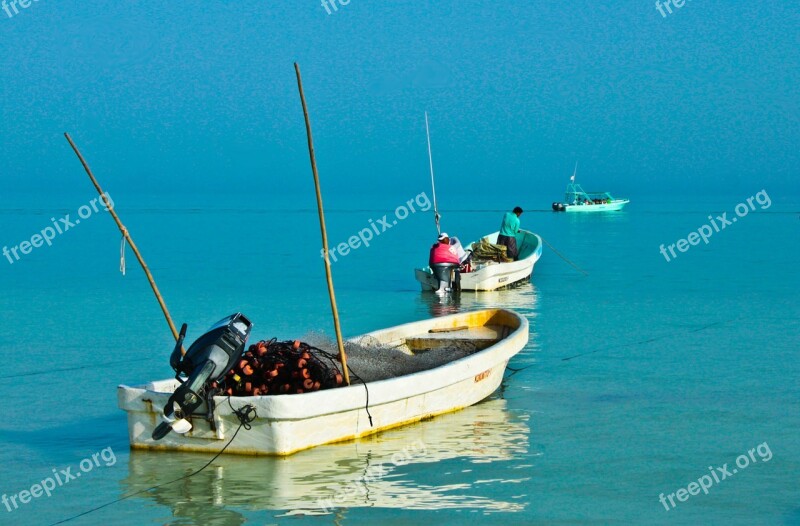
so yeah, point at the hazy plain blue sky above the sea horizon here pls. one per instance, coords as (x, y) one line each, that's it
(200, 98)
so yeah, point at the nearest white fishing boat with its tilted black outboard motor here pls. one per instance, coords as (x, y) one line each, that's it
(465, 356)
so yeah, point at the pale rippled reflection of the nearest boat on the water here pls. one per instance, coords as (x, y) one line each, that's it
(395, 469)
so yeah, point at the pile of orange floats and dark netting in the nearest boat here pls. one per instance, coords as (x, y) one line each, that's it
(273, 367)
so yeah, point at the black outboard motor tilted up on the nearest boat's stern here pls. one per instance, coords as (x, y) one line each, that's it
(207, 360)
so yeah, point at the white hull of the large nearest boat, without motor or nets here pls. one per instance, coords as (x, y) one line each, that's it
(290, 423)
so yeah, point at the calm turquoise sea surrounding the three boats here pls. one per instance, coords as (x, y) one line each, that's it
(640, 378)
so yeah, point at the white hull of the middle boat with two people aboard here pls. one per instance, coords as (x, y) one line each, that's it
(493, 276)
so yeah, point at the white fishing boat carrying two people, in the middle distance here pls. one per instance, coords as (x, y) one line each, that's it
(487, 274)
